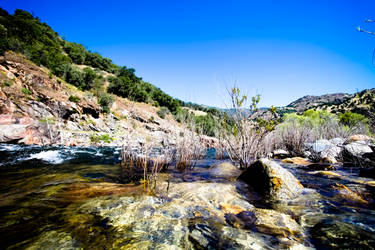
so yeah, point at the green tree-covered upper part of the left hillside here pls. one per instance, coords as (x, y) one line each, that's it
(26, 34)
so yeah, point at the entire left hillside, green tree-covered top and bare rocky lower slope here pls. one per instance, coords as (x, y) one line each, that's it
(46, 79)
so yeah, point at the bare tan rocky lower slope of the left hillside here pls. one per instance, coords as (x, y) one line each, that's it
(37, 108)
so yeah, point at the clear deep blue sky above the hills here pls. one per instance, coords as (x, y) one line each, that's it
(193, 49)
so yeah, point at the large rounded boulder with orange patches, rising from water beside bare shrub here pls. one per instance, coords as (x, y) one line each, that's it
(270, 180)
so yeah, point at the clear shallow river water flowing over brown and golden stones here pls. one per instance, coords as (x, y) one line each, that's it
(73, 198)
